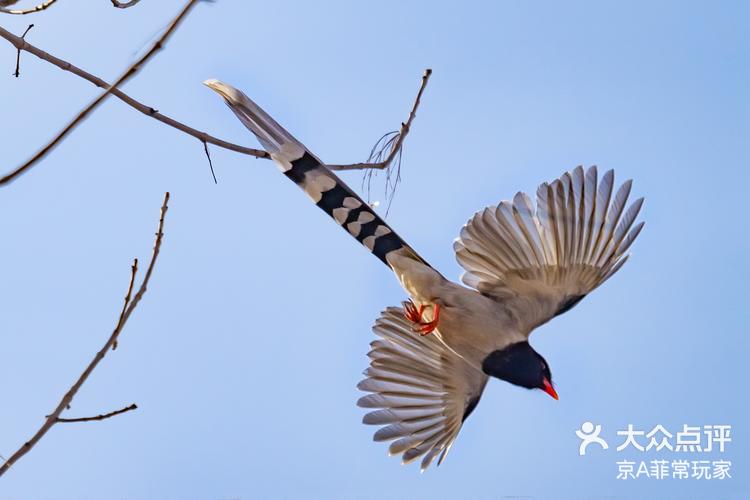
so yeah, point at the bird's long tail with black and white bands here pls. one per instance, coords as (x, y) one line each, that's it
(325, 189)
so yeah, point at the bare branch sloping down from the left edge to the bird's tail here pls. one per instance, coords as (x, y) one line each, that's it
(23, 45)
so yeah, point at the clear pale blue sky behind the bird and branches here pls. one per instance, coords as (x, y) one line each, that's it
(245, 353)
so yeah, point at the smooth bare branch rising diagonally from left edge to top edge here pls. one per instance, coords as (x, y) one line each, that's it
(132, 70)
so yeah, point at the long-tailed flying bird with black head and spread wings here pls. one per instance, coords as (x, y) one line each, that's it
(524, 264)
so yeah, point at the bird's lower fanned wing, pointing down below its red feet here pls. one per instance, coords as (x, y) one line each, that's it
(423, 390)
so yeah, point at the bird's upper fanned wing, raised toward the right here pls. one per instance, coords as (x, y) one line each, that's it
(542, 261)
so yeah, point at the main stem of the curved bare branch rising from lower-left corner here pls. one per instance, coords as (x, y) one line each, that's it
(65, 402)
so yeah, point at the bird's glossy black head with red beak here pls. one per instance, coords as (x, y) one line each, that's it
(521, 365)
